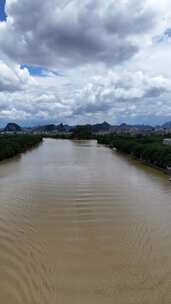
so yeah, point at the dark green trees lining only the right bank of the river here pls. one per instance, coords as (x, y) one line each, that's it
(147, 148)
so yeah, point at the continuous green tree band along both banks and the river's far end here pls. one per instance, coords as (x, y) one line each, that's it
(149, 149)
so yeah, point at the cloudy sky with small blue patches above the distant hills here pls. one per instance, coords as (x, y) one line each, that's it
(86, 61)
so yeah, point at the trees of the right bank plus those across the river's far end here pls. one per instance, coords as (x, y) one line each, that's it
(148, 148)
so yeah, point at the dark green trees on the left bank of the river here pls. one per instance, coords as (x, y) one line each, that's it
(11, 145)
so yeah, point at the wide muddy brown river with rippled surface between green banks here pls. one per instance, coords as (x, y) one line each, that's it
(82, 224)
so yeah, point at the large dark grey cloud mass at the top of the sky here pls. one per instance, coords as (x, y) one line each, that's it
(49, 34)
